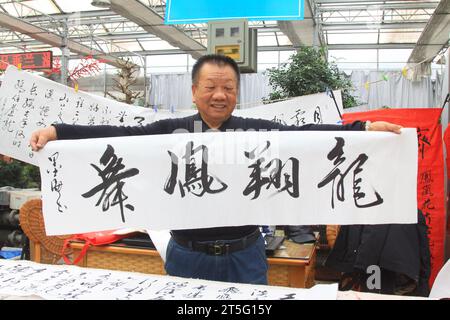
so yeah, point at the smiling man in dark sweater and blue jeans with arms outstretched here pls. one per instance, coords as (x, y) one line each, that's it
(234, 254)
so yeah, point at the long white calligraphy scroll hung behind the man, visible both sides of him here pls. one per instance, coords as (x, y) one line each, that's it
(29, 102)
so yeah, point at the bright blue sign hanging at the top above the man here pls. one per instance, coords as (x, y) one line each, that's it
(199, 11)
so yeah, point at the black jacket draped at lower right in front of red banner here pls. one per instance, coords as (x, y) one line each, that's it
(400, 248)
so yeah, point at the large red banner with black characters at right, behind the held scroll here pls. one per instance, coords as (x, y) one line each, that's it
(430, 183)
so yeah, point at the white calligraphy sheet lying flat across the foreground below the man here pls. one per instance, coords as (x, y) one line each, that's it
(25, 278)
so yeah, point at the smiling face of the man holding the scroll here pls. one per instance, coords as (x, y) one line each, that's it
(215, 93)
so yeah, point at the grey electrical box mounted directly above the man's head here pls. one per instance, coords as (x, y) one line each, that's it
(235, 39)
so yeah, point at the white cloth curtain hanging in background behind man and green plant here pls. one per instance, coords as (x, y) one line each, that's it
(168, 91)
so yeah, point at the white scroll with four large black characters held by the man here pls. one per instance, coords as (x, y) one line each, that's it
(183, 181)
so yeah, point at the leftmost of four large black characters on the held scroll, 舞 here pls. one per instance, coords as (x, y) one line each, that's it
(112, 184)
